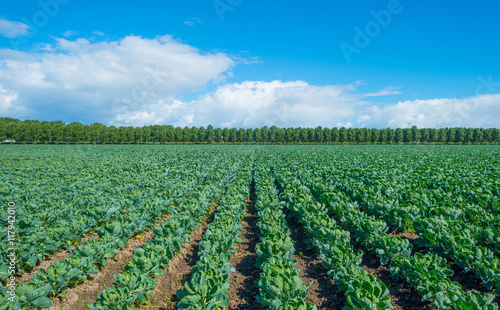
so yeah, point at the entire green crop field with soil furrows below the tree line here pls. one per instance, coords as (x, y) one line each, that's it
(249, 227)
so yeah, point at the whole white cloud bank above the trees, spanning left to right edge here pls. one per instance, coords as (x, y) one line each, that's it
(138, 81)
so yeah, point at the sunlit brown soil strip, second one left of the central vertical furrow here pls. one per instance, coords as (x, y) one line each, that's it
(86, 293)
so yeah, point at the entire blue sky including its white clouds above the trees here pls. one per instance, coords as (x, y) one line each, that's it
(252, 63)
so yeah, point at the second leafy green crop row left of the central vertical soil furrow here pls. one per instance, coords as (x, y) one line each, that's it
(139, 276)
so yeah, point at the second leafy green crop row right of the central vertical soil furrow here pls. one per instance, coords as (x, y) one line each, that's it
(361, 289)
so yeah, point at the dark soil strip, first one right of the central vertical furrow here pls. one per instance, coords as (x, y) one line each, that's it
(323, 291)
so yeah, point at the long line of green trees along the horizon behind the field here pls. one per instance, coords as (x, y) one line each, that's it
(33, 131)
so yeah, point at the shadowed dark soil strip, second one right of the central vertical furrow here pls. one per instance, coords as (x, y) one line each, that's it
(402, 295)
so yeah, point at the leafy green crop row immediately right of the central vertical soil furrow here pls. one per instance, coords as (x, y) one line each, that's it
(279, 283)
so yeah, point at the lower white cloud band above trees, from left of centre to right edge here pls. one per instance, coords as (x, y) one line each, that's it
(294, 104)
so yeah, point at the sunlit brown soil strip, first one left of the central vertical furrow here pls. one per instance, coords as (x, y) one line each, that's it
(178, 272)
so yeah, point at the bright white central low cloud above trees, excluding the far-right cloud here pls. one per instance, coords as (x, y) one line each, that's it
(256, 104)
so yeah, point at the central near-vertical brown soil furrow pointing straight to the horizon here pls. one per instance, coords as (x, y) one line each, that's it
(241, 283)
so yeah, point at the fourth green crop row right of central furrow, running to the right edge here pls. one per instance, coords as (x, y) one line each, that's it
(437, 232)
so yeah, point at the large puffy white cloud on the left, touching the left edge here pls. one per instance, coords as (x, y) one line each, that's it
(96, 81)
